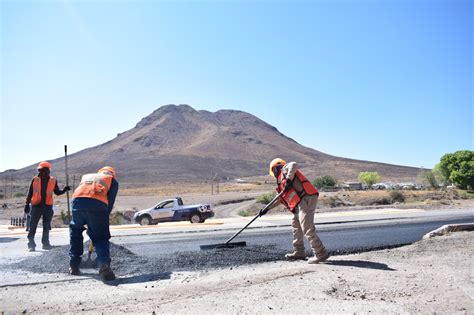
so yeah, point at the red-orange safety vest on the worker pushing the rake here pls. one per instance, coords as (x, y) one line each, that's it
(291, 198)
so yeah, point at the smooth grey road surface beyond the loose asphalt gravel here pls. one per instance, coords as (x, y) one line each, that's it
(339, 238)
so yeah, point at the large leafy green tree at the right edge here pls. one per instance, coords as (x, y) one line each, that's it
(458, 168)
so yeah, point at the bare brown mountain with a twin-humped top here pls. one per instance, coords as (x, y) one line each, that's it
(177, 143)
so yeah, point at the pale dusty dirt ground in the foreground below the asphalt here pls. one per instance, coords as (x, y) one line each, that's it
(430, 276)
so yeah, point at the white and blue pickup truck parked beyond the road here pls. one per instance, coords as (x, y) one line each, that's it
(172, 210)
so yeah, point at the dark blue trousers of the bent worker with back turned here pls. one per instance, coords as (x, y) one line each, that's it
(97, 222)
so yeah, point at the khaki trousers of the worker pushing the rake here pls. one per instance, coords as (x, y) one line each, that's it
(303, 225)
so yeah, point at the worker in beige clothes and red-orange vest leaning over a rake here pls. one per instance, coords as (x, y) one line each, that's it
(300, 197)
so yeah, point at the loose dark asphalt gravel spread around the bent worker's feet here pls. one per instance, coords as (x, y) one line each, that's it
(126, 263)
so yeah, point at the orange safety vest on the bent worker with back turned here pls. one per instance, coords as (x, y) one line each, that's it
(94, 186)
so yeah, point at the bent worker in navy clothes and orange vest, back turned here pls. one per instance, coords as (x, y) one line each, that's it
(92, 203)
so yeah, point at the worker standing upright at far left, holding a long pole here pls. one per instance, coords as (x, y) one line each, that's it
(40, 196)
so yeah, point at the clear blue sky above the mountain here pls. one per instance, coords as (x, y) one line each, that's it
(388, 81)
